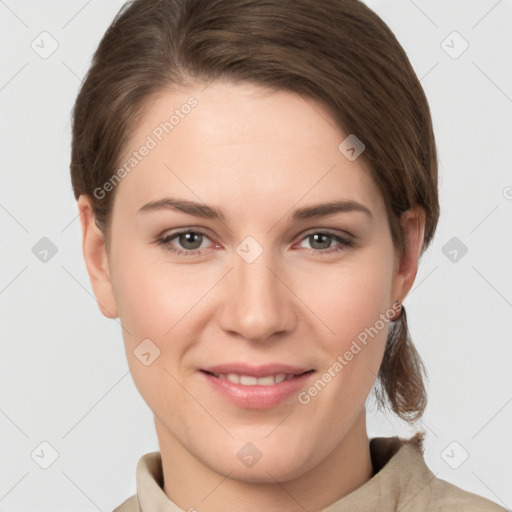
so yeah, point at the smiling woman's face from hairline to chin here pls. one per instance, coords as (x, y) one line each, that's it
(264, 280)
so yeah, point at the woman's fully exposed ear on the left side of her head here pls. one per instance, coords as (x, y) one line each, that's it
(95, 256)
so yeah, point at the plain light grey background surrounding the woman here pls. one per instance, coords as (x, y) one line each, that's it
(64, 377)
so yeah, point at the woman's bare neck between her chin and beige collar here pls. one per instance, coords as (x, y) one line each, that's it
(191, 484)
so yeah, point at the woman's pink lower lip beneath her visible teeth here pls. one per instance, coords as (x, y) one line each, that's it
(257, 397)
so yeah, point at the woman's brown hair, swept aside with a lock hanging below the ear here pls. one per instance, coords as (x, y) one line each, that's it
(337, 52)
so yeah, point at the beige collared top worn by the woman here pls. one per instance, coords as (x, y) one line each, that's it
(401, 481)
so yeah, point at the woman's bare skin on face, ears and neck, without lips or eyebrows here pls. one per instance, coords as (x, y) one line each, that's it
(257, 156)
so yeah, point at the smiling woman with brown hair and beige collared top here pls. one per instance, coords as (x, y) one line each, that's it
(256, 182)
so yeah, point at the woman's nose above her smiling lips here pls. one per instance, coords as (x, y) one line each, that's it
(258, 304)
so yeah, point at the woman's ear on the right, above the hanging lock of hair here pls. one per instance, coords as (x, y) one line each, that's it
(413, 225)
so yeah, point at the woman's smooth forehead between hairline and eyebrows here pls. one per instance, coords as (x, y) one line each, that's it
(241, 145)
